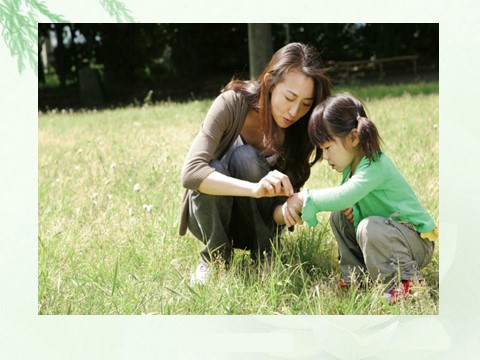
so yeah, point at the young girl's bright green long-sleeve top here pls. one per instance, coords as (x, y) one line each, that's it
(376, 188)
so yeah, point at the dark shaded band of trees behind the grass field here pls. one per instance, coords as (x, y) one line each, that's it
(176, 60)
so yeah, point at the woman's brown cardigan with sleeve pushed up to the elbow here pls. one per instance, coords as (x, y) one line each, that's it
(219, 130)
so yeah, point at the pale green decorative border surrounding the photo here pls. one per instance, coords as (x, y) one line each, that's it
(454, 334)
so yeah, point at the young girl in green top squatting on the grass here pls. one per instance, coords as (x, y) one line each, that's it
(392, 235)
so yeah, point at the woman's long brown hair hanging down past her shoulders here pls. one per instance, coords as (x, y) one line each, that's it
(296, 151)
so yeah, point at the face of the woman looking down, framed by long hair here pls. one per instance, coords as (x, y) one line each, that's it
(292, 98)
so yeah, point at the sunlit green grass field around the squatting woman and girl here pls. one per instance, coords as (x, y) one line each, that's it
(109, 193)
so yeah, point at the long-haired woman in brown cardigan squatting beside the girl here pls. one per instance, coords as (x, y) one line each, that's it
(251, 152)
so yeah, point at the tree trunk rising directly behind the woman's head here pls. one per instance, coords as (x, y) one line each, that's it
(260, 48)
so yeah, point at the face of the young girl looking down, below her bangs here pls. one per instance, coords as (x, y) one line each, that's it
(342, 153)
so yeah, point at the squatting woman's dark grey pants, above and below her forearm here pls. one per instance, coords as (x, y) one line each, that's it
(226, 222)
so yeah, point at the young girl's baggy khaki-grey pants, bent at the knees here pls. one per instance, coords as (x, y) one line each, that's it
(387, 249)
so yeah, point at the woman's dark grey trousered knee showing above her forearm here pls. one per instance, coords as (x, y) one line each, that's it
(247, 163)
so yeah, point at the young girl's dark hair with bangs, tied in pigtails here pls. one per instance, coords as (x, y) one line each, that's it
(337, 116)
